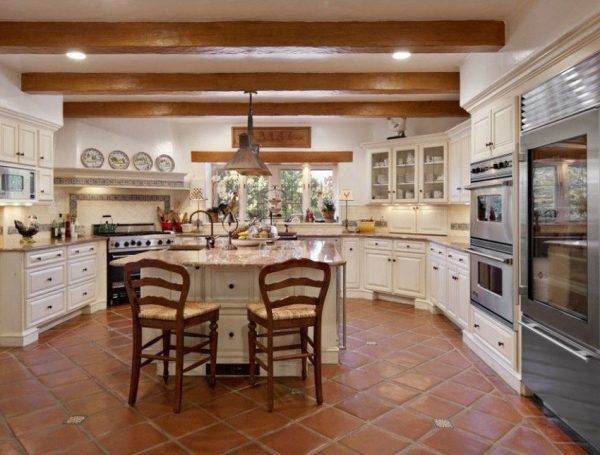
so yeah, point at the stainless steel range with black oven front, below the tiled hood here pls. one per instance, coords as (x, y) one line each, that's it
(128, 239)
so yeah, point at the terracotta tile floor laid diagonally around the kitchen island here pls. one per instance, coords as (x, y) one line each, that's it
(403, 369)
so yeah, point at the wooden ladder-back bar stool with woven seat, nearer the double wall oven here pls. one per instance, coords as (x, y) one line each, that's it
(293, 314)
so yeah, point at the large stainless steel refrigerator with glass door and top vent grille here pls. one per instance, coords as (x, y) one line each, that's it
(560, 234)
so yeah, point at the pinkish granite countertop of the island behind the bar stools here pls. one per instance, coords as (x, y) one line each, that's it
(316, 250)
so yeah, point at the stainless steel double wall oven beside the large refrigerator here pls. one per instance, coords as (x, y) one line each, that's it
(492, 236)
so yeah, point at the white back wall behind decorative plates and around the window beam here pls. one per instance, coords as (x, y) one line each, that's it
(178, 136)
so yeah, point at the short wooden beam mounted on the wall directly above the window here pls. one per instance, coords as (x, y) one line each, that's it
(324, 157)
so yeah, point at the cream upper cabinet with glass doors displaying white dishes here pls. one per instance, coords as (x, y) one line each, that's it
(409, 171)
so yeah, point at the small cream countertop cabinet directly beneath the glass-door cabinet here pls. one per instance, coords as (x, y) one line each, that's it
(431, 219)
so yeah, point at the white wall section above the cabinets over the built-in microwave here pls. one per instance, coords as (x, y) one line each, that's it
(43, 107)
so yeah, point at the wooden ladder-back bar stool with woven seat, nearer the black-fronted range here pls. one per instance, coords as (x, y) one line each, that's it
(171, 316)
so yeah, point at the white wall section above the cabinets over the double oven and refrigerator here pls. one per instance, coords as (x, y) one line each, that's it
(530, 28)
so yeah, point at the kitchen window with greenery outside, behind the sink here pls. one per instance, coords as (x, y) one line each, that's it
(301, 187)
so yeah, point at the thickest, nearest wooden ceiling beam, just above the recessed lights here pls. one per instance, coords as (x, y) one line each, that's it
(249, 37)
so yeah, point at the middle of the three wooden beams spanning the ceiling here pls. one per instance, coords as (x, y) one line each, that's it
(140, 83)
